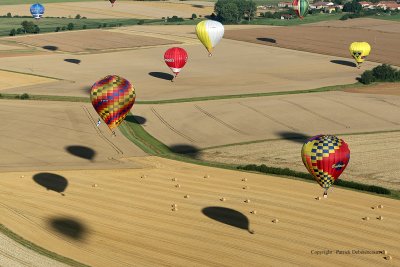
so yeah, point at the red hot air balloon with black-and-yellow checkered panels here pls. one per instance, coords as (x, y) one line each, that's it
(325, 157)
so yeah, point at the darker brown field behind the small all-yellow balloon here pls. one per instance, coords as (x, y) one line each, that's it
(326, 40)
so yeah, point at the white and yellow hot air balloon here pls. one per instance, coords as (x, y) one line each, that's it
(209, 32)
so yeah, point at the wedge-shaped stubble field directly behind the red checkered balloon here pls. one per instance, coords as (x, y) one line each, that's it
(374, 157)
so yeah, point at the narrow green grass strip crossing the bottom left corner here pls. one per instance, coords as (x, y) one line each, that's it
(39, 249)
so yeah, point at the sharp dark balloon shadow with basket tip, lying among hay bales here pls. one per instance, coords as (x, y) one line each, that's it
(228, 216)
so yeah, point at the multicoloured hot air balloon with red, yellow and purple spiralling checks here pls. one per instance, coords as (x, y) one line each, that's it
(112, 97)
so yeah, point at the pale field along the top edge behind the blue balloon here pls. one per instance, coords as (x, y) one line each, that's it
(121, 9)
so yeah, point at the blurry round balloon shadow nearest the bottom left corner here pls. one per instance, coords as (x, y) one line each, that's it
(69, 227)
